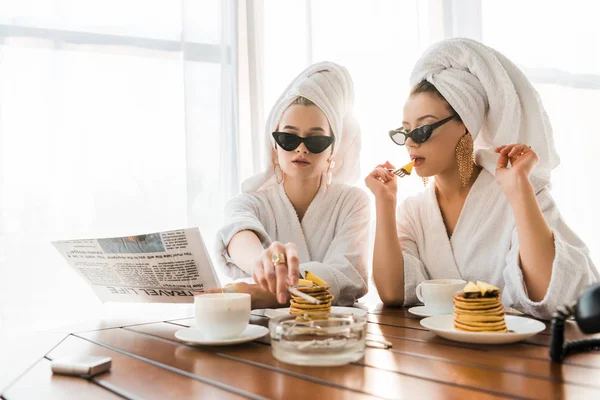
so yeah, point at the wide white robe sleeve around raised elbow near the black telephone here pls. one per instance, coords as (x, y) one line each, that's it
(572, 269)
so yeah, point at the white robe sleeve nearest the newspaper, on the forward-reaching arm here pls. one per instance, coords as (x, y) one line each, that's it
(242, 213)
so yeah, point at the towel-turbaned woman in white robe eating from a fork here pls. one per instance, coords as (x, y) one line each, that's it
(476, 125)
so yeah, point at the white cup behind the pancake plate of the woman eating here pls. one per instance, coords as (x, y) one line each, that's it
(436, 294)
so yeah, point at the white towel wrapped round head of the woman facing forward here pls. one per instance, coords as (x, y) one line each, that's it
(330, 87)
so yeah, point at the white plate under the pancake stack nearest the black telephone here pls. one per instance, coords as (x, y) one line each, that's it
(520, 328)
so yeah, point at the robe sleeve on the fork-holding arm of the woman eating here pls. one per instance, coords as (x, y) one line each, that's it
(409, 233)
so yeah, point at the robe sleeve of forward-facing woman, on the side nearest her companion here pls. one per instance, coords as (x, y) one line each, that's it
(344, 266)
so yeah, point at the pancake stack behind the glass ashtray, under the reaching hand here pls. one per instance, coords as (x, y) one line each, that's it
(315, 287)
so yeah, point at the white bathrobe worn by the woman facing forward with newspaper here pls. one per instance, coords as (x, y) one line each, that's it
(332, 238)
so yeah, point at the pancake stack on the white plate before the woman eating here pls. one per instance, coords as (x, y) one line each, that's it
(478, 309)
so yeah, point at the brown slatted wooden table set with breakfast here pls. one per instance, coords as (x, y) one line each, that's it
(149, 363)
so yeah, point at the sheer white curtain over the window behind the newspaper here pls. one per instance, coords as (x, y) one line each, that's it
(116, 117)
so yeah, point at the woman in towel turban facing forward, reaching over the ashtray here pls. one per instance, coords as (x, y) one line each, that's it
(300, 214)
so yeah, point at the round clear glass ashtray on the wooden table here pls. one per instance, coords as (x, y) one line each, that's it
(327, 339)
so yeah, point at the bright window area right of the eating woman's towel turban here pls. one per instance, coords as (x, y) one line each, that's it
(559, 55)
